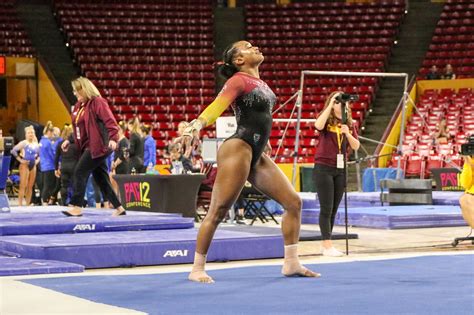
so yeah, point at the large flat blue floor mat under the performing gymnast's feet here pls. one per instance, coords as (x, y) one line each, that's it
(420, 285)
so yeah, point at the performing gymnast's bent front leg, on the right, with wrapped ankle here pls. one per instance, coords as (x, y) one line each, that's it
(270, 180)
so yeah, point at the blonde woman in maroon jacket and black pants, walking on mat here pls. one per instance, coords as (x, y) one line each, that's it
(95, 134)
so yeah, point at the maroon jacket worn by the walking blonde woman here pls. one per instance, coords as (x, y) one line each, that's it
(96, 125)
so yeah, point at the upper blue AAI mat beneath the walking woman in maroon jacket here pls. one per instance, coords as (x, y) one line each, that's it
(92, 221)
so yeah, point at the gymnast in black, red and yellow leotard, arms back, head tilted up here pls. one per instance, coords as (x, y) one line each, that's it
(240, 157)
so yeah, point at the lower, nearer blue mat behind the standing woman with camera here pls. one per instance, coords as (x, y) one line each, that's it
(393, 217)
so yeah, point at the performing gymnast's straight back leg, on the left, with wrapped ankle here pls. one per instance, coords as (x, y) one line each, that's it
(233, 167)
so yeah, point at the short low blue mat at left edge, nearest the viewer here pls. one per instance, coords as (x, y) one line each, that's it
(10, 266)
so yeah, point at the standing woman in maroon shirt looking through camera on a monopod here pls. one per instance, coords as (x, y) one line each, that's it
(328, 175)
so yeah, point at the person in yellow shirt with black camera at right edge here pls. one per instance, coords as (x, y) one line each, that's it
(467, 181)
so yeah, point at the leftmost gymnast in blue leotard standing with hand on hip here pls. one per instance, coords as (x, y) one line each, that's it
(27, 153)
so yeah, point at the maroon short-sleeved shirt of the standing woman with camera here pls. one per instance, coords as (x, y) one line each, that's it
(327, 147)
